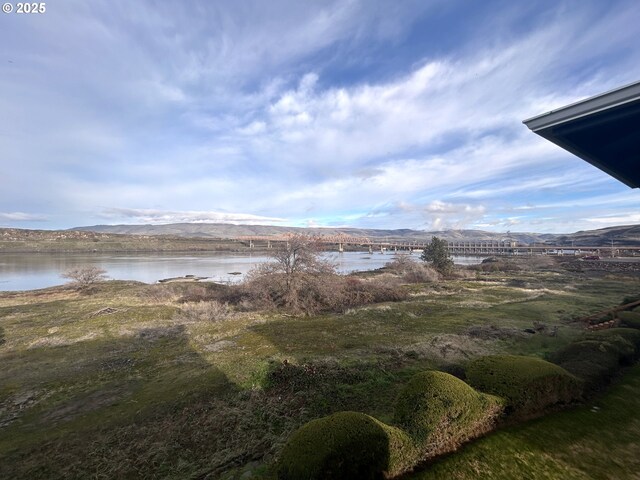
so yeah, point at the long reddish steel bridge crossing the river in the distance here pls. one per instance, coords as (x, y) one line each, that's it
(464, 248)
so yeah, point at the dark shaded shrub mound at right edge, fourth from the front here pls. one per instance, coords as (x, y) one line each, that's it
(597, 357)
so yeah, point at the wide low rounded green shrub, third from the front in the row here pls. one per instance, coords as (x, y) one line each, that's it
(528, 384)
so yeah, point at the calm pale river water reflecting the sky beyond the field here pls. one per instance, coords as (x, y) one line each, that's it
(31, 271)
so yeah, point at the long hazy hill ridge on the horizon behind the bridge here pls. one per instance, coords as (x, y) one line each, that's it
(621, 235)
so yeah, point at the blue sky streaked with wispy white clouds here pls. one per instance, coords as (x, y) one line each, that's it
(372, 114)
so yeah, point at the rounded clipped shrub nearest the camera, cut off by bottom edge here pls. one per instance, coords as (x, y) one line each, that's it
(346, 445)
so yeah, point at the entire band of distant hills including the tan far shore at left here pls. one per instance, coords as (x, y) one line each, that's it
(220, 237)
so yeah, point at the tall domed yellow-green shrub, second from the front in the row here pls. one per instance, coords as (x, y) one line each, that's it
(441, 411)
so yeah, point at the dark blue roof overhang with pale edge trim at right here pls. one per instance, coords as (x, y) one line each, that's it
(603, 130)
